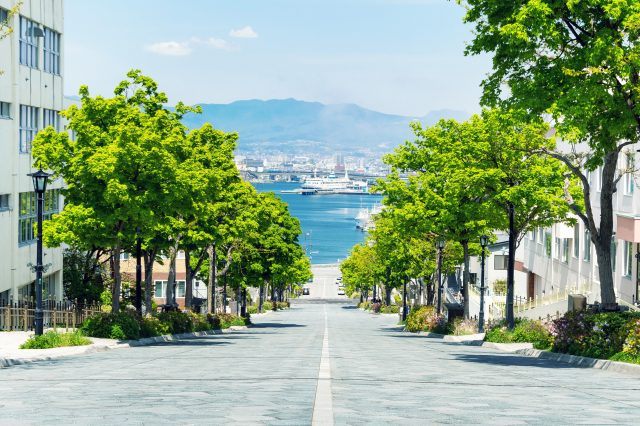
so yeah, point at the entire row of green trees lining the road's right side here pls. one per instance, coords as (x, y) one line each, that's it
(571, 64)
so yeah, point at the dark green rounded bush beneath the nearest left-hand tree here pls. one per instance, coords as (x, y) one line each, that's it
(112, 325)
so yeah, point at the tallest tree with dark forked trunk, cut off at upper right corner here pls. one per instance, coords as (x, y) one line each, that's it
(576, 61)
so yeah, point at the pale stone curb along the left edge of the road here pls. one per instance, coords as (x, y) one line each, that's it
(8, 362)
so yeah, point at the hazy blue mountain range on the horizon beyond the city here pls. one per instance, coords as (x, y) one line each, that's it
(298, 127)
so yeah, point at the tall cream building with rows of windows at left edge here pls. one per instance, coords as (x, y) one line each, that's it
(31, 95)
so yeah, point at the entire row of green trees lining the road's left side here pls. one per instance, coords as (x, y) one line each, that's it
(135, 175)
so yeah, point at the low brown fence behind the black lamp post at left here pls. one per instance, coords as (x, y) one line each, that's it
(20, 316)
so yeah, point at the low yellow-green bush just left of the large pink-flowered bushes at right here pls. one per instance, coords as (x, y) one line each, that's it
(525, 331)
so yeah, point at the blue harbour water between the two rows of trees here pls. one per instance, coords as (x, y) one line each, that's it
(328, 221)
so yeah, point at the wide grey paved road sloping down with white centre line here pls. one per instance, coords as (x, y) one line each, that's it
(269, 374)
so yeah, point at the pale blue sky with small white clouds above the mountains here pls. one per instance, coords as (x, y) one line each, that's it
(395, 56)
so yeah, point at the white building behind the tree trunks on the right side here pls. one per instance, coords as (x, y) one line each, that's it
(556, 261)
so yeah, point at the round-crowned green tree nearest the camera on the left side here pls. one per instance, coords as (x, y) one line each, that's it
(119, 170)
